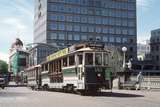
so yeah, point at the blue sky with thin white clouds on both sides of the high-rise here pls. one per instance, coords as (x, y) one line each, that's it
(16, 20)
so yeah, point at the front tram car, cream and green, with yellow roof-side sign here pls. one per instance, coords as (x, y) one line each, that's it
(81, 67)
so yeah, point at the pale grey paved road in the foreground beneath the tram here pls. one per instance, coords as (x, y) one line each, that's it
(25, 97)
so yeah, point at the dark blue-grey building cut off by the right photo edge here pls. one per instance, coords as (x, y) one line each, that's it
(155, 45)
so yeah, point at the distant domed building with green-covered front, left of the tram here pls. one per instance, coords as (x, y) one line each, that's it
(18, 58)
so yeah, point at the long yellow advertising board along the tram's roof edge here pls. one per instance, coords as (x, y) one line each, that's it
(58, 54)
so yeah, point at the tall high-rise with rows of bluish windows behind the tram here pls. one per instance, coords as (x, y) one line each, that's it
(65, 22)
